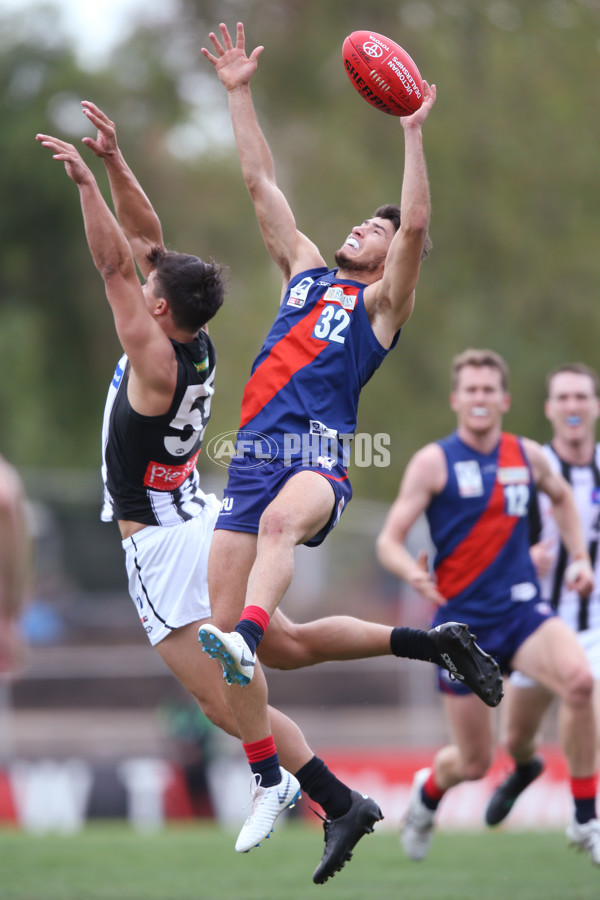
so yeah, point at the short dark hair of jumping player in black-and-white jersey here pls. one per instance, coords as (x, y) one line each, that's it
(194, 289)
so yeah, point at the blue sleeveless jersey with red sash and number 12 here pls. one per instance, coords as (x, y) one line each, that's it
(479, 525)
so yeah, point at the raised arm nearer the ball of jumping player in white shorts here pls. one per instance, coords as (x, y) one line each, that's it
(134, 211)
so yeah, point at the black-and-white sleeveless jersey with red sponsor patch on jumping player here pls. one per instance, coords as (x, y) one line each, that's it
(149, 462)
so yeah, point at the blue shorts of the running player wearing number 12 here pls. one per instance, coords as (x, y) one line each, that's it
(500, 639)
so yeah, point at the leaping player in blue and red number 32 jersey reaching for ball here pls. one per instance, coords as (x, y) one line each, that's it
(333, 329)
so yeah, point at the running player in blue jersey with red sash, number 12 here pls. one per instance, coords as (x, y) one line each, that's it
(475, 487)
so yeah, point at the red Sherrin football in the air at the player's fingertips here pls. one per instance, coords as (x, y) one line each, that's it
(383, 73)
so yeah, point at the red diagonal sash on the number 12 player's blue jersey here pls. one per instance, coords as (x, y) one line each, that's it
(480, 547)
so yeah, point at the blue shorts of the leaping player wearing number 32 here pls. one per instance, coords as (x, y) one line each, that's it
(250, 489)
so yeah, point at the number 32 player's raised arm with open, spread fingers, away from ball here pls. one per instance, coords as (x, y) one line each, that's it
(291, 250)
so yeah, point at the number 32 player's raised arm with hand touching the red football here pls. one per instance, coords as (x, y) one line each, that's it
(390, 301)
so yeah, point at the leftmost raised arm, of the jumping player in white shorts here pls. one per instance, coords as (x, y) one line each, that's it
(148, 348)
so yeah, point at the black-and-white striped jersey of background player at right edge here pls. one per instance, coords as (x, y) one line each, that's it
(579, 613)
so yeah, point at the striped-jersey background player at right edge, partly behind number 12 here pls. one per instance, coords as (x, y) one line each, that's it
(572, 407)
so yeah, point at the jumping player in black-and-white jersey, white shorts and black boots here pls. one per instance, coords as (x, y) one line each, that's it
(157, 409)
